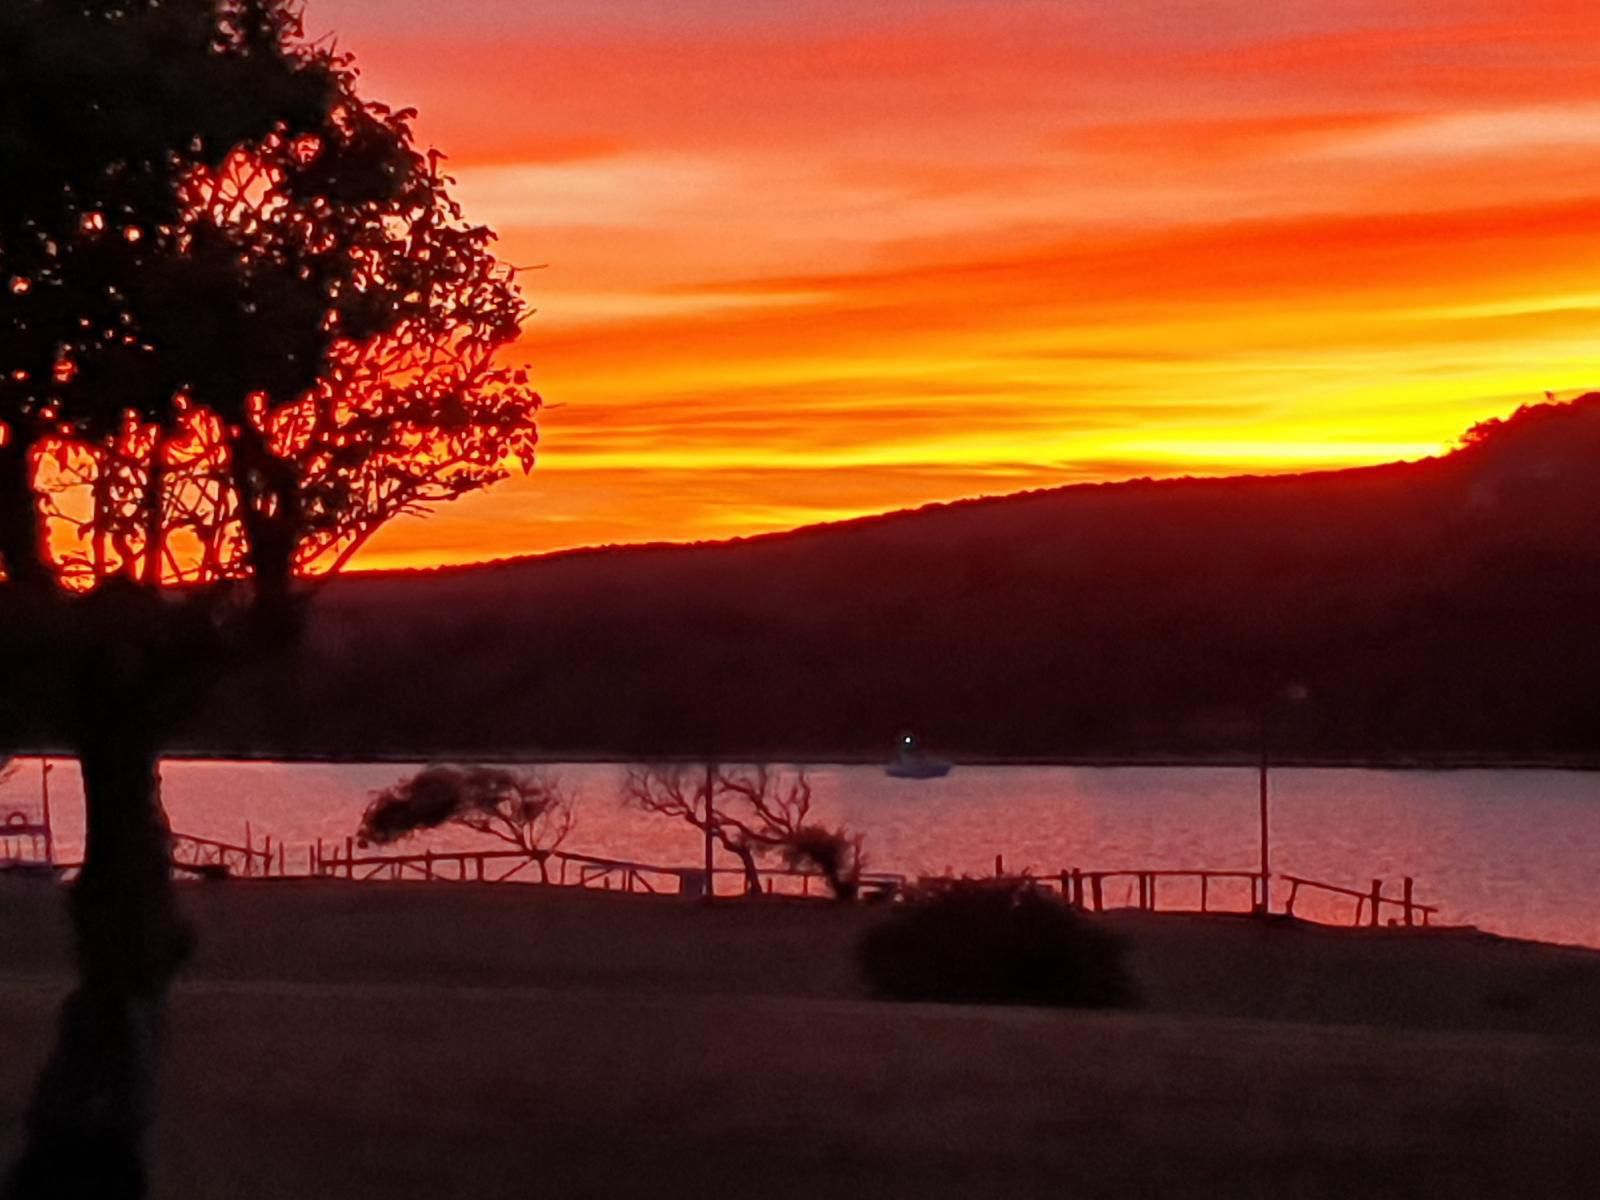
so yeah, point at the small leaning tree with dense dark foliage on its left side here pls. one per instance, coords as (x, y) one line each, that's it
(526, 809)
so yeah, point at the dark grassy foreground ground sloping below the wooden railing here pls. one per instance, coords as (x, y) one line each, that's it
(369, 1041)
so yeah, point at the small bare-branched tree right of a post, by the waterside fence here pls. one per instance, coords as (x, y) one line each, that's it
(750, 812)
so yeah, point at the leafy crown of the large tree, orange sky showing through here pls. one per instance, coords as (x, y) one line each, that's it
(242, 321)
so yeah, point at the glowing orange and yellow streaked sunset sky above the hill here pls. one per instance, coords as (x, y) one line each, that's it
(807, 263)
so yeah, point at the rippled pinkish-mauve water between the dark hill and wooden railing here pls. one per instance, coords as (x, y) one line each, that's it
(1514, 852)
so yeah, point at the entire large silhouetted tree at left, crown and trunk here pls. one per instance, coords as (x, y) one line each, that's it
(242, 326)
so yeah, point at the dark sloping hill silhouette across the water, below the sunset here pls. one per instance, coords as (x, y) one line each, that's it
(1436, 609)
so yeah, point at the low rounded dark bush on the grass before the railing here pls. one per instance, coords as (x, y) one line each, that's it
(985, 943)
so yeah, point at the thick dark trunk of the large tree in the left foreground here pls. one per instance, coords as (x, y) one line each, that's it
(94, 1103)
